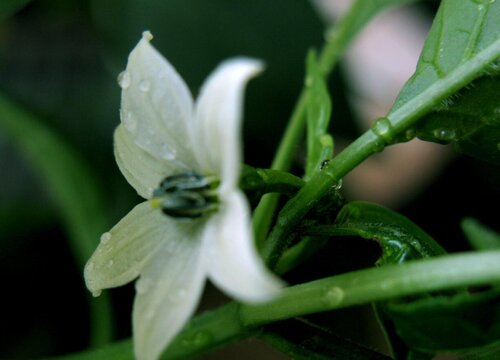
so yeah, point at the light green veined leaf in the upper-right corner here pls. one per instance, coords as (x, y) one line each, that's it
(463, 44)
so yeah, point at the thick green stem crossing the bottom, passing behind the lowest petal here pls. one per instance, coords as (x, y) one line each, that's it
(234, 321)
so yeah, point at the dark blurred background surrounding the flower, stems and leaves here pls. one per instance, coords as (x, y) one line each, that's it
(59, 61)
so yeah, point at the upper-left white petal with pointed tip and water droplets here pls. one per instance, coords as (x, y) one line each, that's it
(156, 106)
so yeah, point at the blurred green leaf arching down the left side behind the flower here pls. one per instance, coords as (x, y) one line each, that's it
(73, 188)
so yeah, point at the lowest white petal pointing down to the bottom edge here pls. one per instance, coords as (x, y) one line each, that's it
(168, 292)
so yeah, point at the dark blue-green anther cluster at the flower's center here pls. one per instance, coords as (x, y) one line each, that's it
(188, 195)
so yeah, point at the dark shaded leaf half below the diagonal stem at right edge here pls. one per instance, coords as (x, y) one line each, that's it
(469, 120)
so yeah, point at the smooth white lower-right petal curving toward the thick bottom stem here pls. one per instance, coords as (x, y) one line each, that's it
(234, 265)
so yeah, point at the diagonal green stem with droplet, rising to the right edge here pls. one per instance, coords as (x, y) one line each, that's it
(369, 143)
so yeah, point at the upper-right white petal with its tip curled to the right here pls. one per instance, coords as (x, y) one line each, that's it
(218, 118)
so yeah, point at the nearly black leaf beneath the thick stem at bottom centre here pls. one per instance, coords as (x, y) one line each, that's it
(303, 340)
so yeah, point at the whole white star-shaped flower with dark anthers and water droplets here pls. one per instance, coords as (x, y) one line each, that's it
(193, 151)
